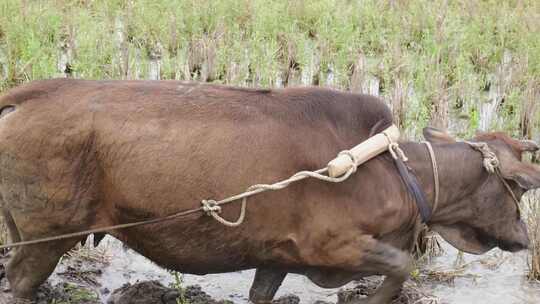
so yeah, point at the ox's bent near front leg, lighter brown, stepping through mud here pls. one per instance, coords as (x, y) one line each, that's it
(349, 254)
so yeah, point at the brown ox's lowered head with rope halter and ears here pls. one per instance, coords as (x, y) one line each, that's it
(487, 216)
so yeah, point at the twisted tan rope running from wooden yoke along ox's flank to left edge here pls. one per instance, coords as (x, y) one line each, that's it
(210, 207)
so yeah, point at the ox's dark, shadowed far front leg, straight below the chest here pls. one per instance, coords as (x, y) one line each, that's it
(266, 284)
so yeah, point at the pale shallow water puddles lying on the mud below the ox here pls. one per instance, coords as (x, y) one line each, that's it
(494, 278)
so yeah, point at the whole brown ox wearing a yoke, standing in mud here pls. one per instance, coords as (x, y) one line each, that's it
(85, 154)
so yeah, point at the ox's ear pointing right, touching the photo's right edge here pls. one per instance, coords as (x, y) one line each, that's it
(527, 176)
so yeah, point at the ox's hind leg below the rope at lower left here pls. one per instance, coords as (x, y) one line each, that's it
(30, 266)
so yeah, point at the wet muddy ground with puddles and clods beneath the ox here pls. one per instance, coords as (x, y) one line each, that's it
(113, 274)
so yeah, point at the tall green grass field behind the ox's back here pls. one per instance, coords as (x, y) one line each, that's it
(438, 51)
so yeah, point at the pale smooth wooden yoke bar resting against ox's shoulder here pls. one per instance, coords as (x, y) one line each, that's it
(363, 152)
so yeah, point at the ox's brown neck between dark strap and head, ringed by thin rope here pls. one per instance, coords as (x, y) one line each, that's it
(460, 173)
